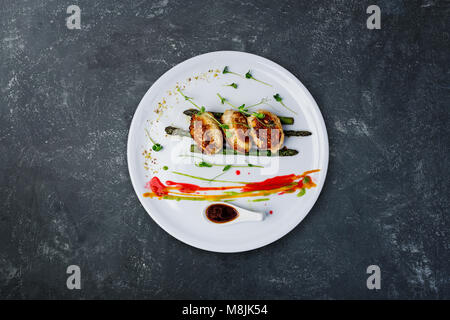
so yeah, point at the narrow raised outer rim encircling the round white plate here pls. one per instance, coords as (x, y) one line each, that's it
(266, 241)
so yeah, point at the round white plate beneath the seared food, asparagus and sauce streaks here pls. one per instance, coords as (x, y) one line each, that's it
(201, 78)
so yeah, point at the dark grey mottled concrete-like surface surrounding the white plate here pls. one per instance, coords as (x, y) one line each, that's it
(68, 96)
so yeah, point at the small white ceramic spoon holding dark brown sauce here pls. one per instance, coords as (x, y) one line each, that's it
(235, 214)
